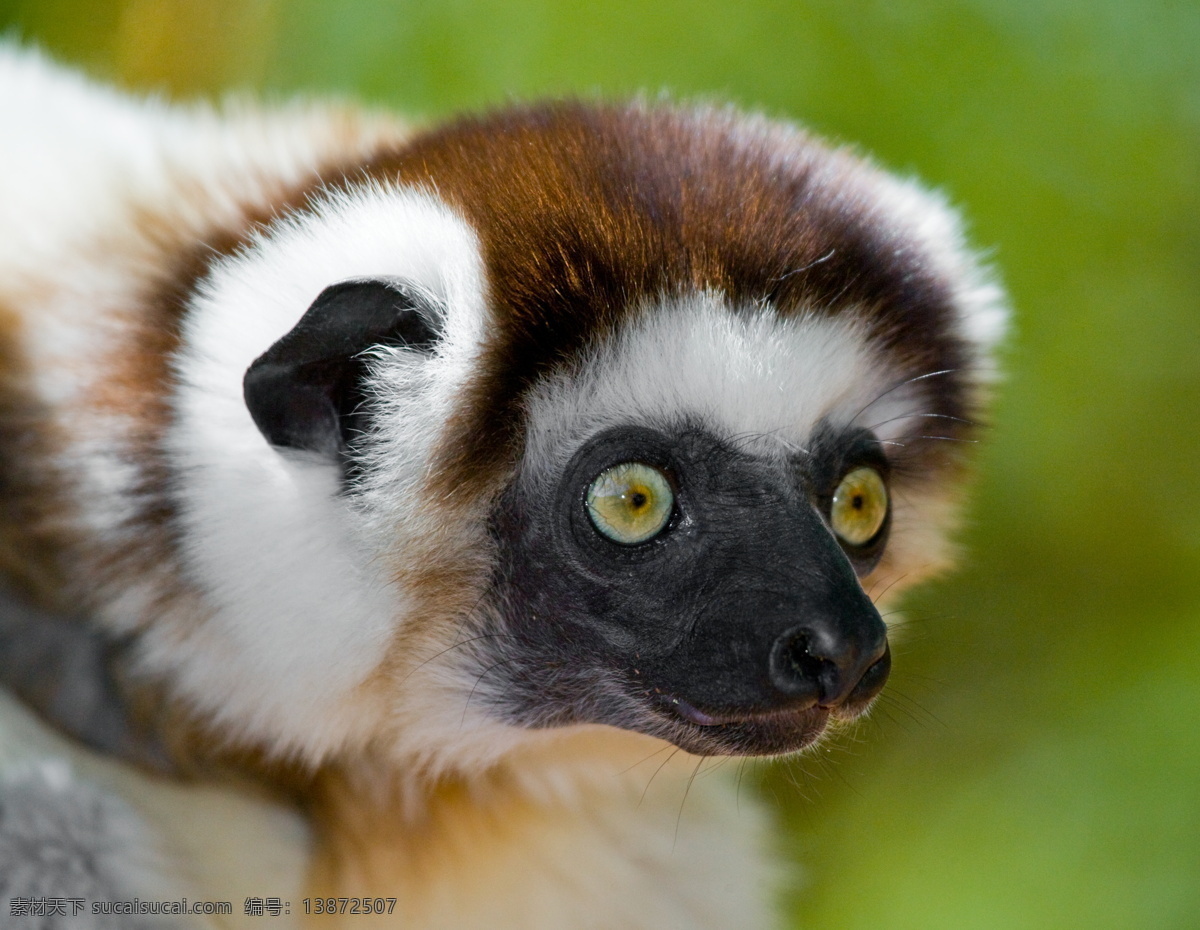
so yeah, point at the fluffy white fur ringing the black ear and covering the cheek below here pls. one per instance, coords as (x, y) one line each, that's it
(299, 615)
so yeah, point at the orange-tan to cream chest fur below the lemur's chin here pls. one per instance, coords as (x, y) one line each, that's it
(502, 849)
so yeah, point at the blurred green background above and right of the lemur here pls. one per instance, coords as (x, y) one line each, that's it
(1036, 763)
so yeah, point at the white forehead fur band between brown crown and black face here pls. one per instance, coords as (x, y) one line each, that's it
(753, 377)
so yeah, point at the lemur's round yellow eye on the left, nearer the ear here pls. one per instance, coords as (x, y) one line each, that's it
(631, 503)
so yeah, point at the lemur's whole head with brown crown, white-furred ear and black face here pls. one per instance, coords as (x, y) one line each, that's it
(629, 412)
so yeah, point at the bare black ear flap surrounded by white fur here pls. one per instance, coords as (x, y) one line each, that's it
(307, 391)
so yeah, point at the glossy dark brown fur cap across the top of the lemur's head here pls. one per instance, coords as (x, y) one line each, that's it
(587, 213)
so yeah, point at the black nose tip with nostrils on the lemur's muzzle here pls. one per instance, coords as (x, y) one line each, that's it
(814, 662)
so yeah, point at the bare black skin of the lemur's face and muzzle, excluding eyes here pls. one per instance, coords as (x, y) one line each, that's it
(740, 629)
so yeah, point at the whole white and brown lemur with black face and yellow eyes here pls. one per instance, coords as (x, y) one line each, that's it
(407, 514)
